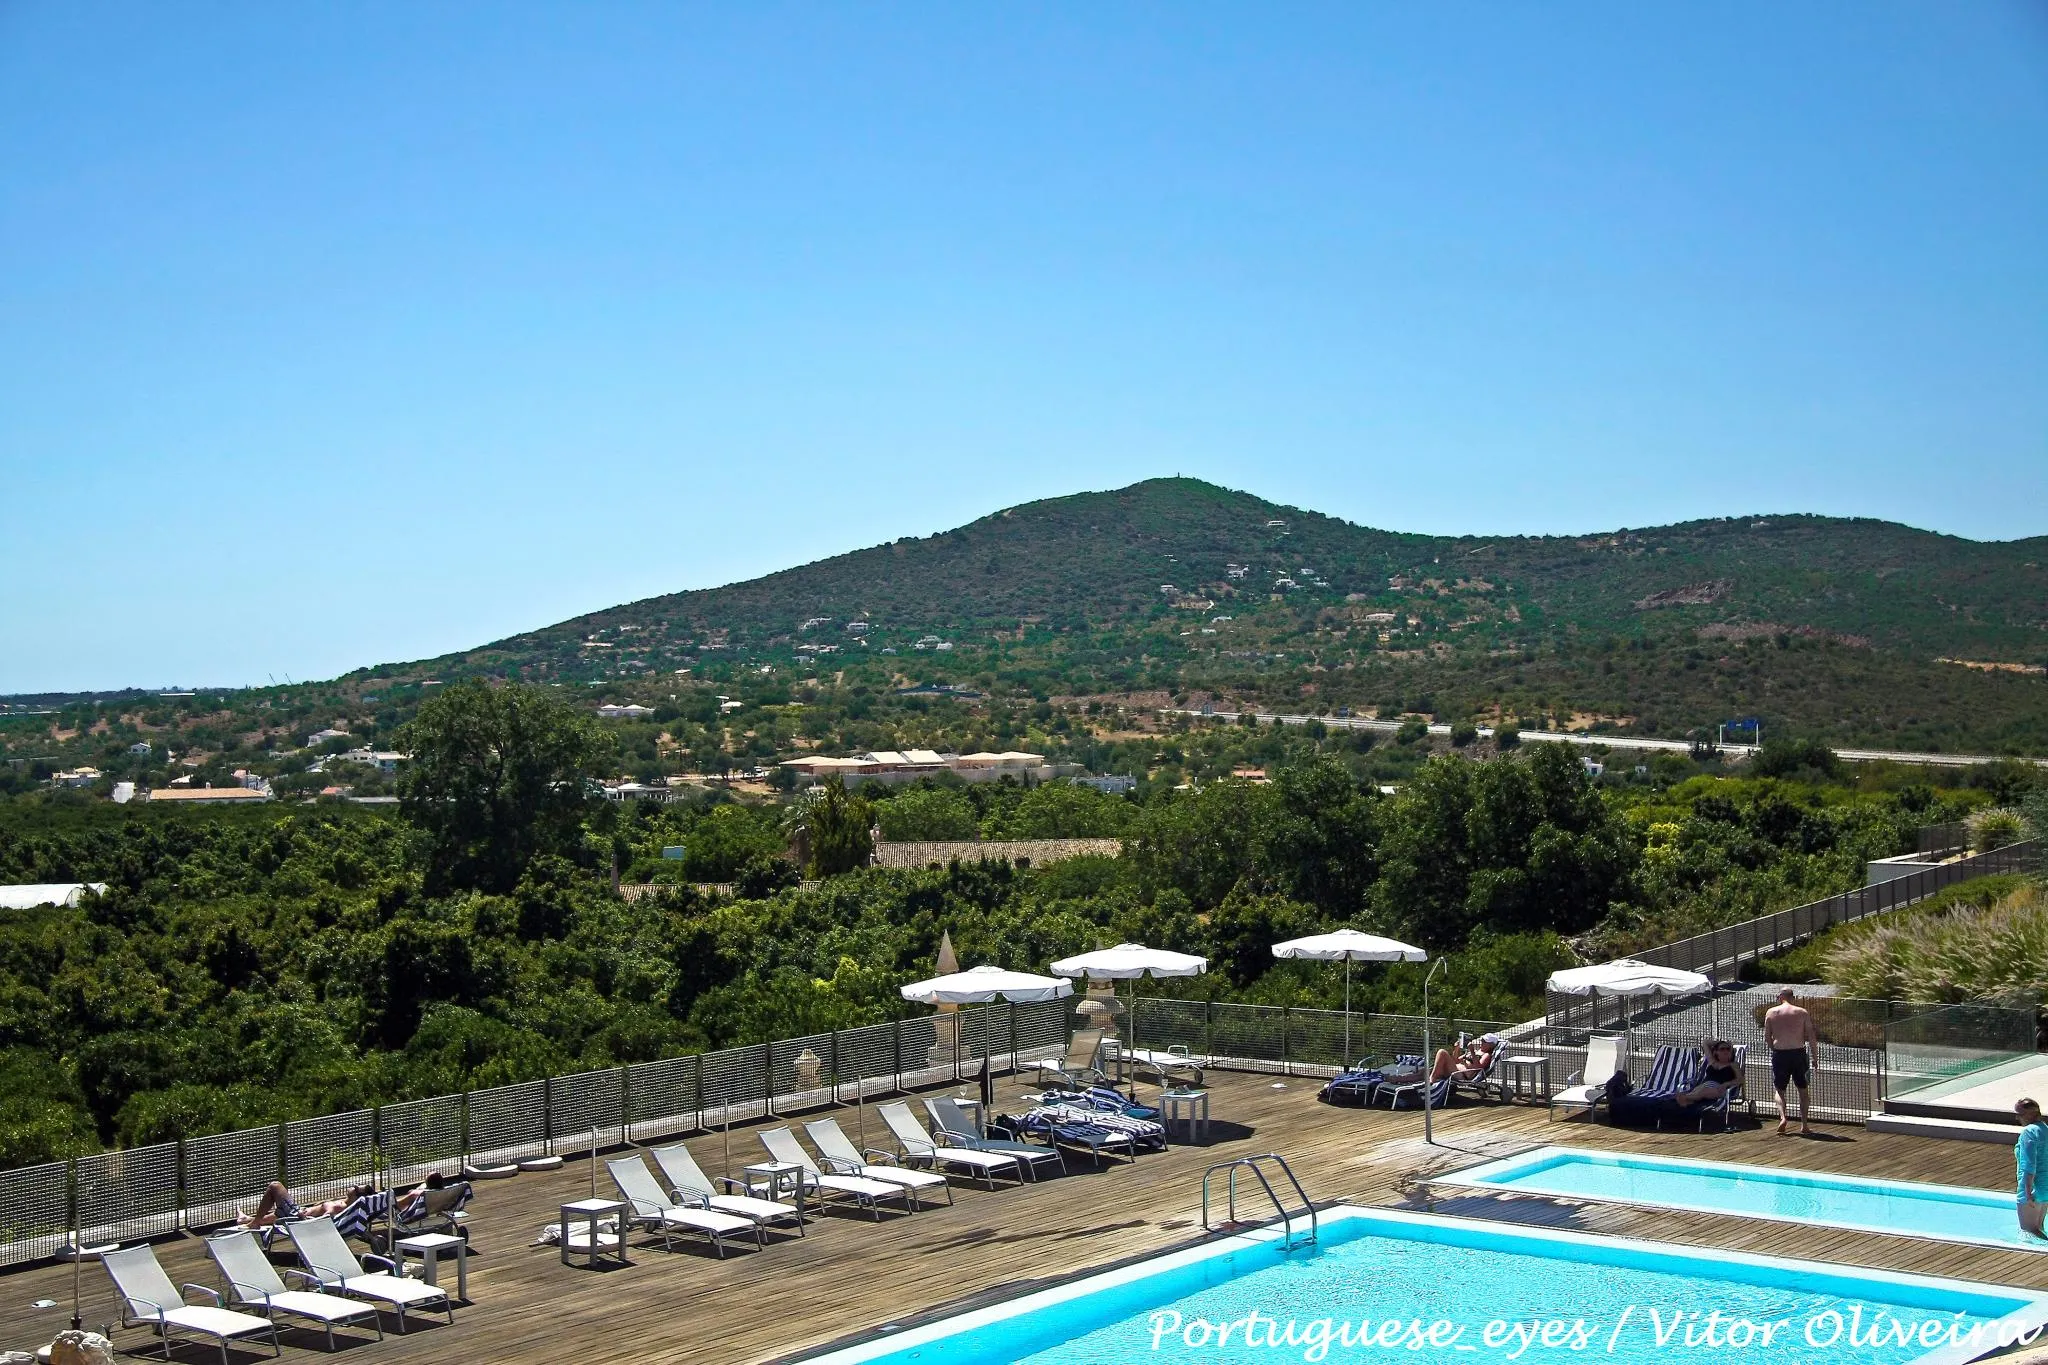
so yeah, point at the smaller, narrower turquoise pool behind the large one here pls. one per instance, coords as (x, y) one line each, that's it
(1943, 1213)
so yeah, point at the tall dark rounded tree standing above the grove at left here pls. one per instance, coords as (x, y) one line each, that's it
(497, 779)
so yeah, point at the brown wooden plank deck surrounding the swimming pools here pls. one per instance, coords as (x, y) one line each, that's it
(851, 1276)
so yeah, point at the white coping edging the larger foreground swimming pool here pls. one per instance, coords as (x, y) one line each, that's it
(2029, 1319)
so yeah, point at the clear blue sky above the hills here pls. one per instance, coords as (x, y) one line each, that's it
(337, 335)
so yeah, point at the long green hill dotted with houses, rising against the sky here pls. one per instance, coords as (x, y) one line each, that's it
(1105, 560)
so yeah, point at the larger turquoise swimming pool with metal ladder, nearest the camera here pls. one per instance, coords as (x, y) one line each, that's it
(1383, 1286)
